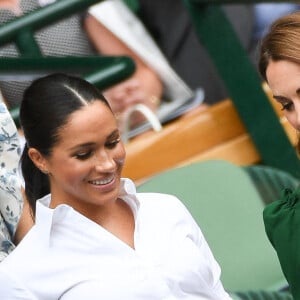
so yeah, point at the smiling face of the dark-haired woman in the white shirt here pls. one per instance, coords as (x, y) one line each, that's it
(85, 166)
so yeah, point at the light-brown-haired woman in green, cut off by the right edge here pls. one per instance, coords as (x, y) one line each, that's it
(279, 65)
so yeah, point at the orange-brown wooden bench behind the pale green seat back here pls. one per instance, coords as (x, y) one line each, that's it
(215, 133)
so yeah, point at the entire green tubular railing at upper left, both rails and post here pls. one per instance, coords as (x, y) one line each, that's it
(102, 71)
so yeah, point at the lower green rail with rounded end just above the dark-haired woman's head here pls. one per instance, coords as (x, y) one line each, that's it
(109, 70)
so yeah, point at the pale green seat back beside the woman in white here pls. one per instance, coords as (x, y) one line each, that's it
(228, 208)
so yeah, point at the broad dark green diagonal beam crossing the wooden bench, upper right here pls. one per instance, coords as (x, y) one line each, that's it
(243, 83)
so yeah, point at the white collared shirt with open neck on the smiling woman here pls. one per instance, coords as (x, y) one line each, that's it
(67, 256)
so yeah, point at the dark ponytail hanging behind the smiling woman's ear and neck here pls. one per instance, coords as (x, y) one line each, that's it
(36, 182)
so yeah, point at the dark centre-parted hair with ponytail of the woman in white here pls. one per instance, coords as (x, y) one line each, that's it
(46, 107)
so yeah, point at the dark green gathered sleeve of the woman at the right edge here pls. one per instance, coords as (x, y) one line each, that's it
(282, 224)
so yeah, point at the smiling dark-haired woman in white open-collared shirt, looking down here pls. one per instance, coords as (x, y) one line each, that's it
(94, 237)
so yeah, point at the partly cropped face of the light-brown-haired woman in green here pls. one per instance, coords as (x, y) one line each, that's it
(283, 78)
